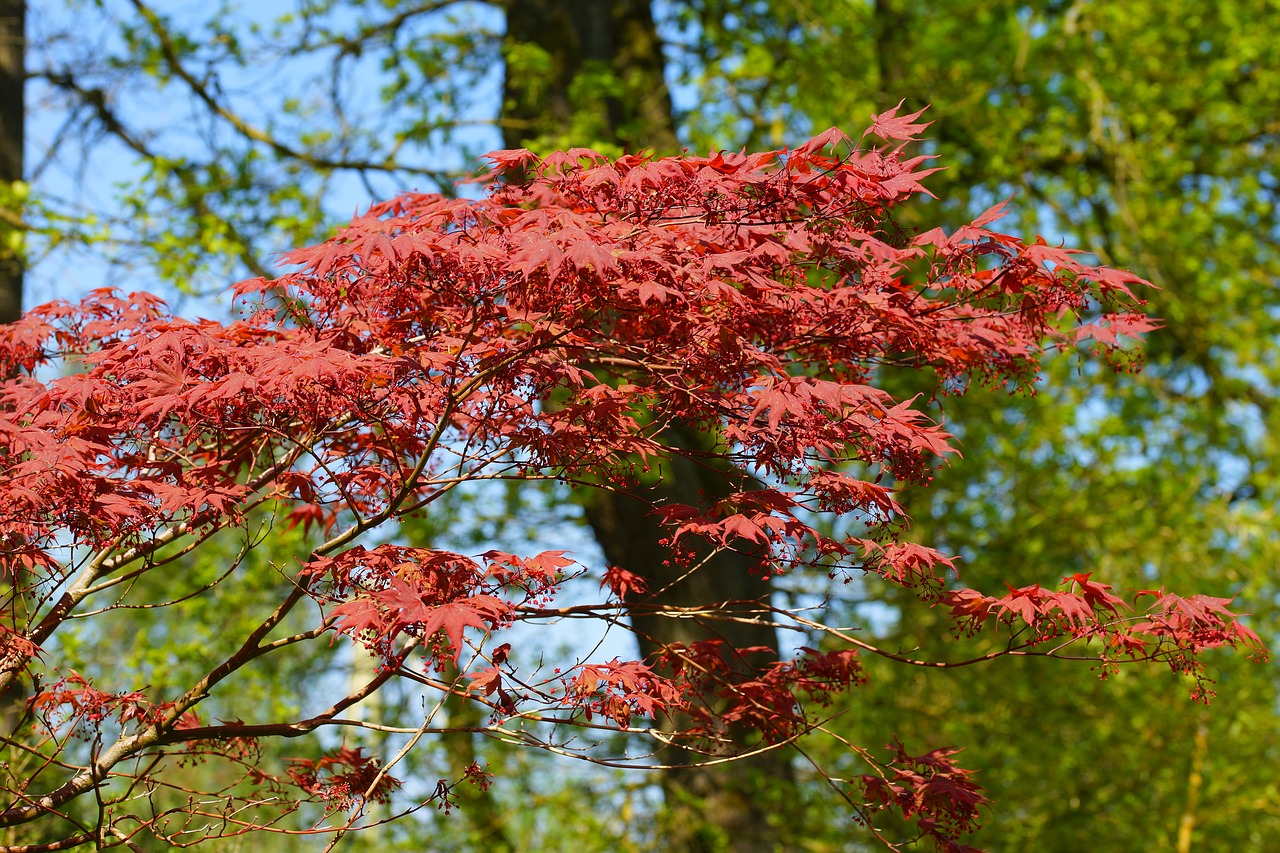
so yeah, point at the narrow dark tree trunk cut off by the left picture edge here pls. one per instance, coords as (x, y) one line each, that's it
(12, 79)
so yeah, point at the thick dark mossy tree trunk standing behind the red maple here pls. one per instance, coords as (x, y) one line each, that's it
(738, 806)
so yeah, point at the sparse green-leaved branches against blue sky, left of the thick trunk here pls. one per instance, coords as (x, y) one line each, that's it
(234, 136)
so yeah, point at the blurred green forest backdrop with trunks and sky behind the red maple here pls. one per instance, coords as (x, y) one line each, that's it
(179, 147)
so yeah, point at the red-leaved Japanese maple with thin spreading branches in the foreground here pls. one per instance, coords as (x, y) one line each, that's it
(555, 330)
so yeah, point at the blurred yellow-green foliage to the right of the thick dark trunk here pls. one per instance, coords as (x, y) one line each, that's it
(1169, 477)
